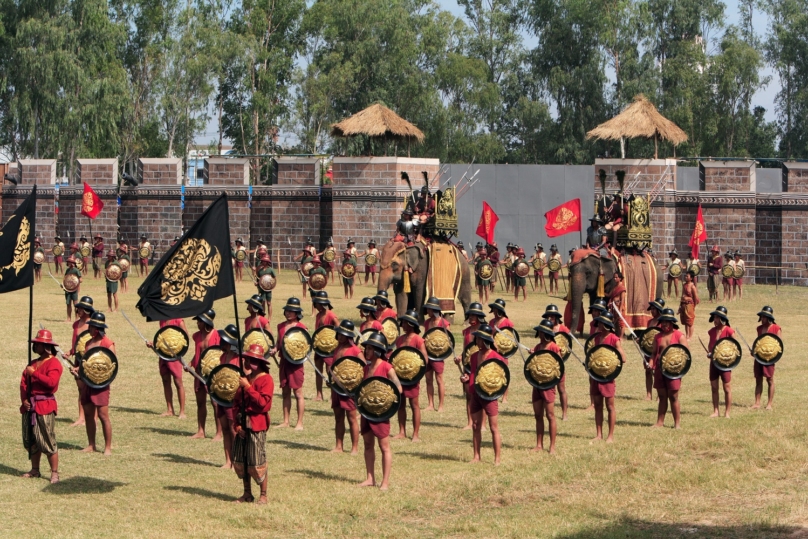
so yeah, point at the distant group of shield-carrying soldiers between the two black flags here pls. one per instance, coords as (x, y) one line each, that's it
(114, 268)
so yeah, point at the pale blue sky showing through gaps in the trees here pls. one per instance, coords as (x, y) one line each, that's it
(763, 98)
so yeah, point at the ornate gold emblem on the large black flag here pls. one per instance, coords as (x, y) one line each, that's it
(191, 272)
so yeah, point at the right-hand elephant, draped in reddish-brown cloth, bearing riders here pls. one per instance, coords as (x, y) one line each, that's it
(584, 279)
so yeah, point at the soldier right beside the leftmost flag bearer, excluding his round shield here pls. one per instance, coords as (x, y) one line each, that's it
(96, 401)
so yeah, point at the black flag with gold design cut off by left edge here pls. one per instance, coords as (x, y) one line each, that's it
(16, 247)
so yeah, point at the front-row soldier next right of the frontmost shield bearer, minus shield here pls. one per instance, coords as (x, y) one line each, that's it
(484, 339)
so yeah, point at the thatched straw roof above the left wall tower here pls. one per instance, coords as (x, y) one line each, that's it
(379, 122)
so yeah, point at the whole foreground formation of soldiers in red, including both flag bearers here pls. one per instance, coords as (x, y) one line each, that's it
(374, 373)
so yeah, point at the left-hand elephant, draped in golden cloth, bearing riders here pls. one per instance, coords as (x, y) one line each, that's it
(417, 257)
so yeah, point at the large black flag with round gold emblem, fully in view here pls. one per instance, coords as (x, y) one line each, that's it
(194, 272)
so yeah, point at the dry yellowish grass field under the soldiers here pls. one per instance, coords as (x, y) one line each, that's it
(738, 477)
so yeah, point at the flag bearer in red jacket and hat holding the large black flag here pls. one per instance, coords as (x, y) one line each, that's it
(252, 403)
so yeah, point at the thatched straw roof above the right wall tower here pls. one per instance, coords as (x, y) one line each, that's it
(639, 120)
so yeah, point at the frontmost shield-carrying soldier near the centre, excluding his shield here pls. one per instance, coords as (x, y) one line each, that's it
(375, 355)
